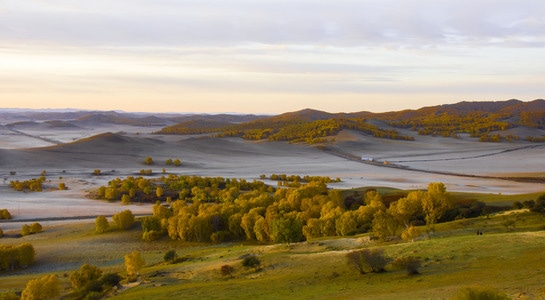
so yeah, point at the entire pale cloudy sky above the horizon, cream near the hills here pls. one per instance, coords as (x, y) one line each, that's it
(265, 56)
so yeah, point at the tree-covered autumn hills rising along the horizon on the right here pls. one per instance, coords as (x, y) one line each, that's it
(482, 120)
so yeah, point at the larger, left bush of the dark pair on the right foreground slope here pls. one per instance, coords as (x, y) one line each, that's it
(368, 260)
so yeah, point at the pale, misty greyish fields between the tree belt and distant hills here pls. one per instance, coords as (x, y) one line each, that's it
(28, 152)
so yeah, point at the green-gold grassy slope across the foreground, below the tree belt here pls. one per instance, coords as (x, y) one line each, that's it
(504, 258)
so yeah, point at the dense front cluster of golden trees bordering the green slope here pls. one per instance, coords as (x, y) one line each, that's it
(293, 214)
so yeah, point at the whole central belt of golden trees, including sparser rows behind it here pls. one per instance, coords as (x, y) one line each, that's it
(204, 209)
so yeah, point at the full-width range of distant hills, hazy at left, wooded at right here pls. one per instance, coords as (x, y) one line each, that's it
(484, 120)
